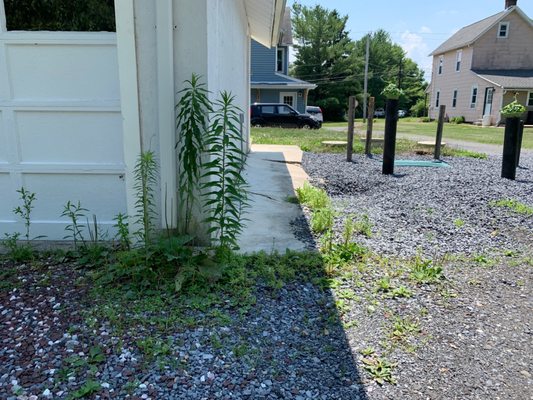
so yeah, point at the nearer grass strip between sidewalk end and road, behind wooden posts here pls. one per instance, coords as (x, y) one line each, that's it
(311, 140)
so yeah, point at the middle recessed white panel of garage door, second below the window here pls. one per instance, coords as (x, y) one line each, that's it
(70, 137)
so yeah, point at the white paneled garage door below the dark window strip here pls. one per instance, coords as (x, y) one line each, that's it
(60, 128)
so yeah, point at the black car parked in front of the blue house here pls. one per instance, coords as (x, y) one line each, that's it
(283, 115)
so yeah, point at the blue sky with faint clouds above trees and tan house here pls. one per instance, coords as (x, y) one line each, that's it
(419, 26)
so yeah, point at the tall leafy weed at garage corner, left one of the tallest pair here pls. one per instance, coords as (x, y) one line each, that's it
(192, 124)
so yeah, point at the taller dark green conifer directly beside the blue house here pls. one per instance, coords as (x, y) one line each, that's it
(325, 55)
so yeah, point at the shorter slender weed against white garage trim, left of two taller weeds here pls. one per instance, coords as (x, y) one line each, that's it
(145, 174)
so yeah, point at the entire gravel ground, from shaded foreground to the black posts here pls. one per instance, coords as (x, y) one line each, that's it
(369, 331)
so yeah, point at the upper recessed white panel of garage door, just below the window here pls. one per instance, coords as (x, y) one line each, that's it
(66, 71)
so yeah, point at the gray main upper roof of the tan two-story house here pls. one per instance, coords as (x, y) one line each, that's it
(469, 34)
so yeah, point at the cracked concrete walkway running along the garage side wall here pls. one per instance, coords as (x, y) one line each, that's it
(273, 173)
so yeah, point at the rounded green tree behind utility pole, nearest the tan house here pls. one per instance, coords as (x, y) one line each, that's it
(389, 64)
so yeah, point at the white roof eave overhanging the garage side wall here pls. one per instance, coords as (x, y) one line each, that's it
(264, 20)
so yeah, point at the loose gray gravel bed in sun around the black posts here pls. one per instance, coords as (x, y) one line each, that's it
(429, 210)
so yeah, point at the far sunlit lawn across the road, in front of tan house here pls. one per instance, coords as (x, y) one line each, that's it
(466, 132)
